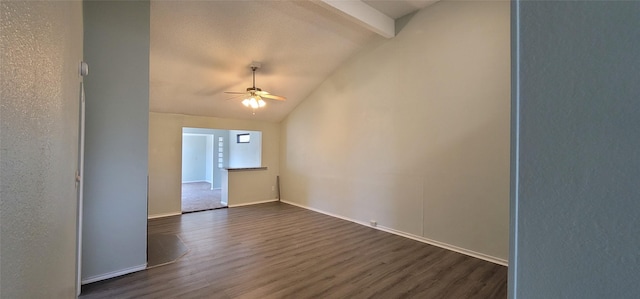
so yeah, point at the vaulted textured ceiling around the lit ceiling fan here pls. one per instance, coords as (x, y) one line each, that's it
(200, 49)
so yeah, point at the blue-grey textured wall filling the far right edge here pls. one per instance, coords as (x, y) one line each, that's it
(577, 230)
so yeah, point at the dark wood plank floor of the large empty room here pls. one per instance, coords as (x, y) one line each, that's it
(275, 250)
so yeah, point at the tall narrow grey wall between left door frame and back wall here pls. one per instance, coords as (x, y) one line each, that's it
(116, 36)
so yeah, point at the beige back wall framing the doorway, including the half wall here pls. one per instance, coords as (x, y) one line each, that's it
(165, 156)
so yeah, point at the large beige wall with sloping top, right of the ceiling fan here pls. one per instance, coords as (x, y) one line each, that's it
(413, 132)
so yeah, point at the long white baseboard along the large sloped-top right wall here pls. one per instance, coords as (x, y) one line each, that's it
(457, 249)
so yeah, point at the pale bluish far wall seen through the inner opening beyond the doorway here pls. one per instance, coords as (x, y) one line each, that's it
(194, 158)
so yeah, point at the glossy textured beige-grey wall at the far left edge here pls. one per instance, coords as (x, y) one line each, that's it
(41, 48)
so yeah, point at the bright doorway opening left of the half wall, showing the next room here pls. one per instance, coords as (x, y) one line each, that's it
(203, 160)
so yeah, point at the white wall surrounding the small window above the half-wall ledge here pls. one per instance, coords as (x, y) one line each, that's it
(245, 154)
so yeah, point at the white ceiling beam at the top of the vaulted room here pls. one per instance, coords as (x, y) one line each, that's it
(364, 15)
